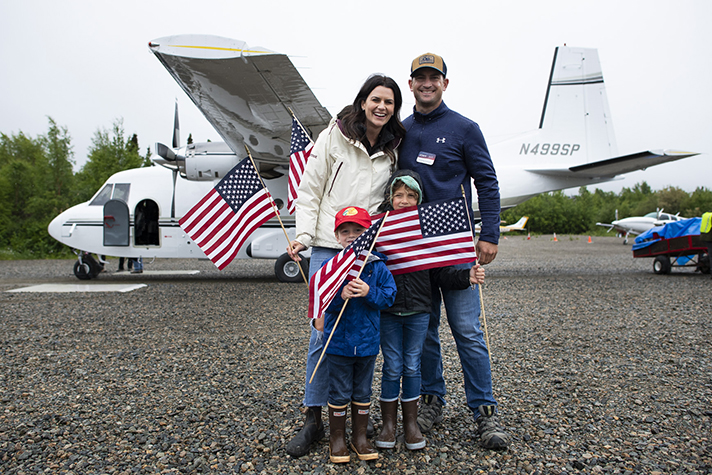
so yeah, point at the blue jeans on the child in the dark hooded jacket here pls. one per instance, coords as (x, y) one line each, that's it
(402, 340)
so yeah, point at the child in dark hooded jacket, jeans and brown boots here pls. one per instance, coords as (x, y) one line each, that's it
(405, 323)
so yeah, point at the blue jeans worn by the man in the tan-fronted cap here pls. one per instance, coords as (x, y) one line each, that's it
(463, 315)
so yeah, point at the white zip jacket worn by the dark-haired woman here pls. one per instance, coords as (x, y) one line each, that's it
(339, 173)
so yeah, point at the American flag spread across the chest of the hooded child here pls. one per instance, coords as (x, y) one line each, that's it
(435, 234)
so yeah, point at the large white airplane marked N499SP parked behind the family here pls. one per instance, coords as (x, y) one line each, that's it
(247, 94)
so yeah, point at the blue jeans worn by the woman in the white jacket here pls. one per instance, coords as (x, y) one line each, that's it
(316, 393)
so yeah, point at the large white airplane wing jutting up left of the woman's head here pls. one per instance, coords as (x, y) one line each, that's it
(244, 92)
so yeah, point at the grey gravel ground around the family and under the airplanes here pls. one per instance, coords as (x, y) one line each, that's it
(599, 366)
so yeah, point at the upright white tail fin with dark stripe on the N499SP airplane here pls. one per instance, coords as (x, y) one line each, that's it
(576, 109)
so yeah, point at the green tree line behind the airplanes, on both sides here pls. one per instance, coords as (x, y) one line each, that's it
(38, 181)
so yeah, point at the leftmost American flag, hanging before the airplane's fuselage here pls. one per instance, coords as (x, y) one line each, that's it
(229, 213)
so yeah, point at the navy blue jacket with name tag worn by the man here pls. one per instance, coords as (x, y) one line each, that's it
(460, 153)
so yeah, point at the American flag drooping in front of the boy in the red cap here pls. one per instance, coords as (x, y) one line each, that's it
(327, 281)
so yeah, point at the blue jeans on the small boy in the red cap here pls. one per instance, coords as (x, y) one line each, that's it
(350, 378)
